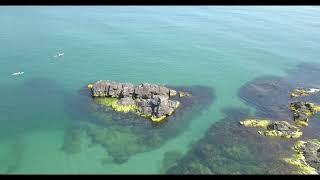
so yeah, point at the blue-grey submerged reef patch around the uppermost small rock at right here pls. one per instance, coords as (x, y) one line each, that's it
(269, 94)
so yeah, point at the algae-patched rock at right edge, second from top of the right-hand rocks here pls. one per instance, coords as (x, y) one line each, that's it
(302, 111)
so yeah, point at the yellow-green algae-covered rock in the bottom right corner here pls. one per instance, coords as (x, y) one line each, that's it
(306, 158)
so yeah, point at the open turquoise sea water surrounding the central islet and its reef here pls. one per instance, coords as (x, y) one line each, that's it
(219, 47)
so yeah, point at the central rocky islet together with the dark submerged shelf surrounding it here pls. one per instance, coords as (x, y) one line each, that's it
(125, 119)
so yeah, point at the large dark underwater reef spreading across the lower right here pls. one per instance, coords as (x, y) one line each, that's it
(229, 148)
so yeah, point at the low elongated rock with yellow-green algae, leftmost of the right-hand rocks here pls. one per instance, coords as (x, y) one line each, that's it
(275, 129)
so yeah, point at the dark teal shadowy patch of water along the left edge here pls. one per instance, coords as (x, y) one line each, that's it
(29, 105)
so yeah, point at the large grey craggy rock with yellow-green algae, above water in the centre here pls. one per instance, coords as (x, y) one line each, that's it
(147, 100)
